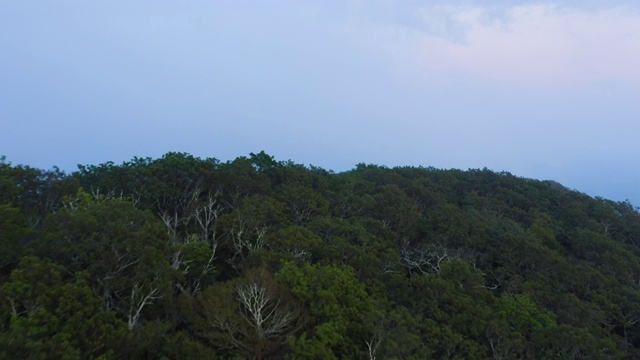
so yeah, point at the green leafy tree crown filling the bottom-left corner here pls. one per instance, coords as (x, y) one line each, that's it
(46, 317)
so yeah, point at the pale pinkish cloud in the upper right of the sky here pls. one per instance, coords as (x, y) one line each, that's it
(541, 44)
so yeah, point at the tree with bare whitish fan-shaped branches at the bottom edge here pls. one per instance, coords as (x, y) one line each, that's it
(250, 316)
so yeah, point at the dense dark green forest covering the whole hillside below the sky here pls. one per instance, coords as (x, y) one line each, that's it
(189, 258)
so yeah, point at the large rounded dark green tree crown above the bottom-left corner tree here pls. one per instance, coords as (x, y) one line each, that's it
(124, 250)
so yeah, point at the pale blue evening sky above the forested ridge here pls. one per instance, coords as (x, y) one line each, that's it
(544, 90)
